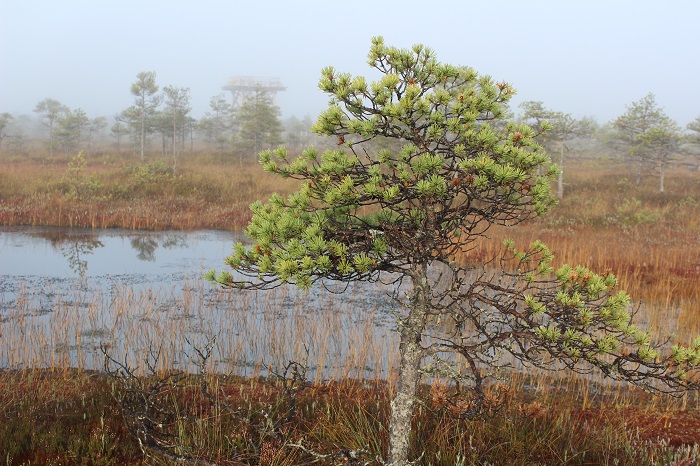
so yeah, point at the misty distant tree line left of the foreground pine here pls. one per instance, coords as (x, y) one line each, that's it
(159, 120)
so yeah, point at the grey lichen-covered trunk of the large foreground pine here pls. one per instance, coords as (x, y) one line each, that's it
(411, 351)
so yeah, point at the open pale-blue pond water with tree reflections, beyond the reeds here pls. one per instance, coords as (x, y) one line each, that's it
(133, 257)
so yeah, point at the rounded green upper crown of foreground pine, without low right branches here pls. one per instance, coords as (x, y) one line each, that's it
(452, 170)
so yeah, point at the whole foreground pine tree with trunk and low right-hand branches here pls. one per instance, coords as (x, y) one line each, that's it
(406, 214)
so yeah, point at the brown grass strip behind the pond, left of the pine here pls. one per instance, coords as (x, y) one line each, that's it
(121, 192)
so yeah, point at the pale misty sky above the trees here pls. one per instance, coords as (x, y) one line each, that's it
(588, 58)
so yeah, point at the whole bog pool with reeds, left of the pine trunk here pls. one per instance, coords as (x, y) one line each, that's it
(64, 293)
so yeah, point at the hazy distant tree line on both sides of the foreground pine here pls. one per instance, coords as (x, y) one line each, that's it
(644, 135)
